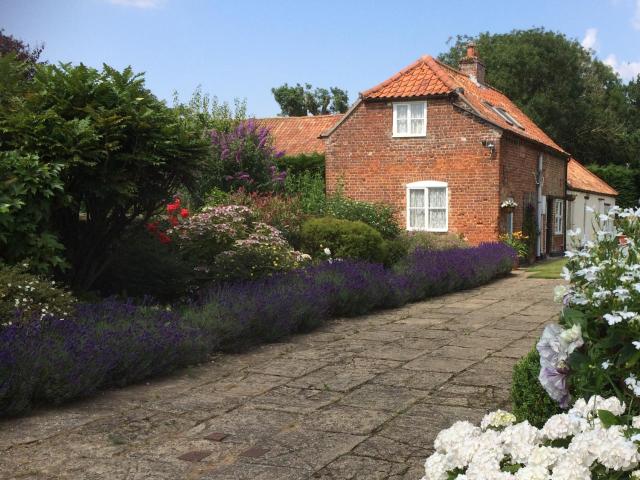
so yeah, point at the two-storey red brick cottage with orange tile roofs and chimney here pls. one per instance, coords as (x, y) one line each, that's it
(446, 150)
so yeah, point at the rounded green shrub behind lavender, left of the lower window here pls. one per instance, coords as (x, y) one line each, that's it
(344, 238)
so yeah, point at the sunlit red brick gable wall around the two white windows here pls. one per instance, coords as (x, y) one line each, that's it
(371, 165)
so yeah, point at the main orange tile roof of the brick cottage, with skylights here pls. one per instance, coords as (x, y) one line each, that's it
(427, 77)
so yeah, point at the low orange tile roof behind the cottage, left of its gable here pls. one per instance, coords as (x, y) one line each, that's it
(295, 135)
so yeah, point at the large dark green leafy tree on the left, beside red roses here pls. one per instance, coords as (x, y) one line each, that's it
(122, 153)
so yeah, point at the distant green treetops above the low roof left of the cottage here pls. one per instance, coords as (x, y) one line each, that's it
(300, 101)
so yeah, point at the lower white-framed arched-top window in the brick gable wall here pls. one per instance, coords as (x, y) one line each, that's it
(428, 206)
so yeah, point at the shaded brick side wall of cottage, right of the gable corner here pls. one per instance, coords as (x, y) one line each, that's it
(518, 164)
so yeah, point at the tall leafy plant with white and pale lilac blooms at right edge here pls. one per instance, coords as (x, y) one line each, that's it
(596, 349)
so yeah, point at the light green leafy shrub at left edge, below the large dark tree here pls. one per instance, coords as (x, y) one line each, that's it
(28, 189)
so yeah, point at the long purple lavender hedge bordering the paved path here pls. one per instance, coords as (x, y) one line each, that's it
(114, 343)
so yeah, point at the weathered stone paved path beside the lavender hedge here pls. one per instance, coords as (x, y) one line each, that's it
(359, 399)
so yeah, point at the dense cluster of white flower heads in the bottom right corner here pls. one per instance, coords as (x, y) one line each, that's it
(594, 440)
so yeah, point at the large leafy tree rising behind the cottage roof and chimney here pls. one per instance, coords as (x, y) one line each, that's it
(575, 98)
